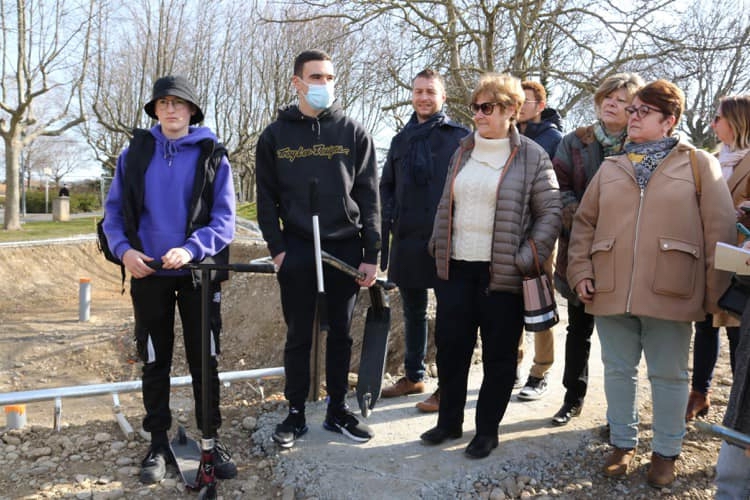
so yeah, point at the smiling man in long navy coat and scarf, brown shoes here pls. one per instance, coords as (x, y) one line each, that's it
(410, 187)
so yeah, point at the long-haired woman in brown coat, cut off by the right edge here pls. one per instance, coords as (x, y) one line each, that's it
(731, 125)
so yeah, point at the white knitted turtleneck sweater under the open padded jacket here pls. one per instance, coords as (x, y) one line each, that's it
(475, 198)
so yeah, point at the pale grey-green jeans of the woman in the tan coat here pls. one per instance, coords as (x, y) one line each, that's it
(666, 345)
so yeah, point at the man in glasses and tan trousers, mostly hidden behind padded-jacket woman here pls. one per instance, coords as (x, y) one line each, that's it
(543, 125)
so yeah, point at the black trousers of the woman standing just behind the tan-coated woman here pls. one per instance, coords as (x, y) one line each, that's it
(577, 349)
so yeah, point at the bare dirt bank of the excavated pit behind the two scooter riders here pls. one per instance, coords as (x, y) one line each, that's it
(40, 289)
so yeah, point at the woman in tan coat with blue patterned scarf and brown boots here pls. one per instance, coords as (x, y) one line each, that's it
(641, 259)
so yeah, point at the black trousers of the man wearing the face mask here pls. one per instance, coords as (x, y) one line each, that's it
(299, 290)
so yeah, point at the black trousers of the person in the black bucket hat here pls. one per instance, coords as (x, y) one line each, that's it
(154, 299)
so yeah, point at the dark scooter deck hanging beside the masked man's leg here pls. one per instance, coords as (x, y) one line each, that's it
(374, 350)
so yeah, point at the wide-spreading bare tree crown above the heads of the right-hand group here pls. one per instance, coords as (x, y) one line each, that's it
(568, 45)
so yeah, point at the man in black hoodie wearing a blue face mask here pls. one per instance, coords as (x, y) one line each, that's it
(316, 140)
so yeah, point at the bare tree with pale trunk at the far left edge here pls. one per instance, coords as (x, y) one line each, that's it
(40, 89)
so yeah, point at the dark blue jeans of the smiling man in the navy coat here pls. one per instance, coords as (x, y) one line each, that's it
(414, 303)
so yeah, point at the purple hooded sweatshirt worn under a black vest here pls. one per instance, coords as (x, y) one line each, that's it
(168, 188)
